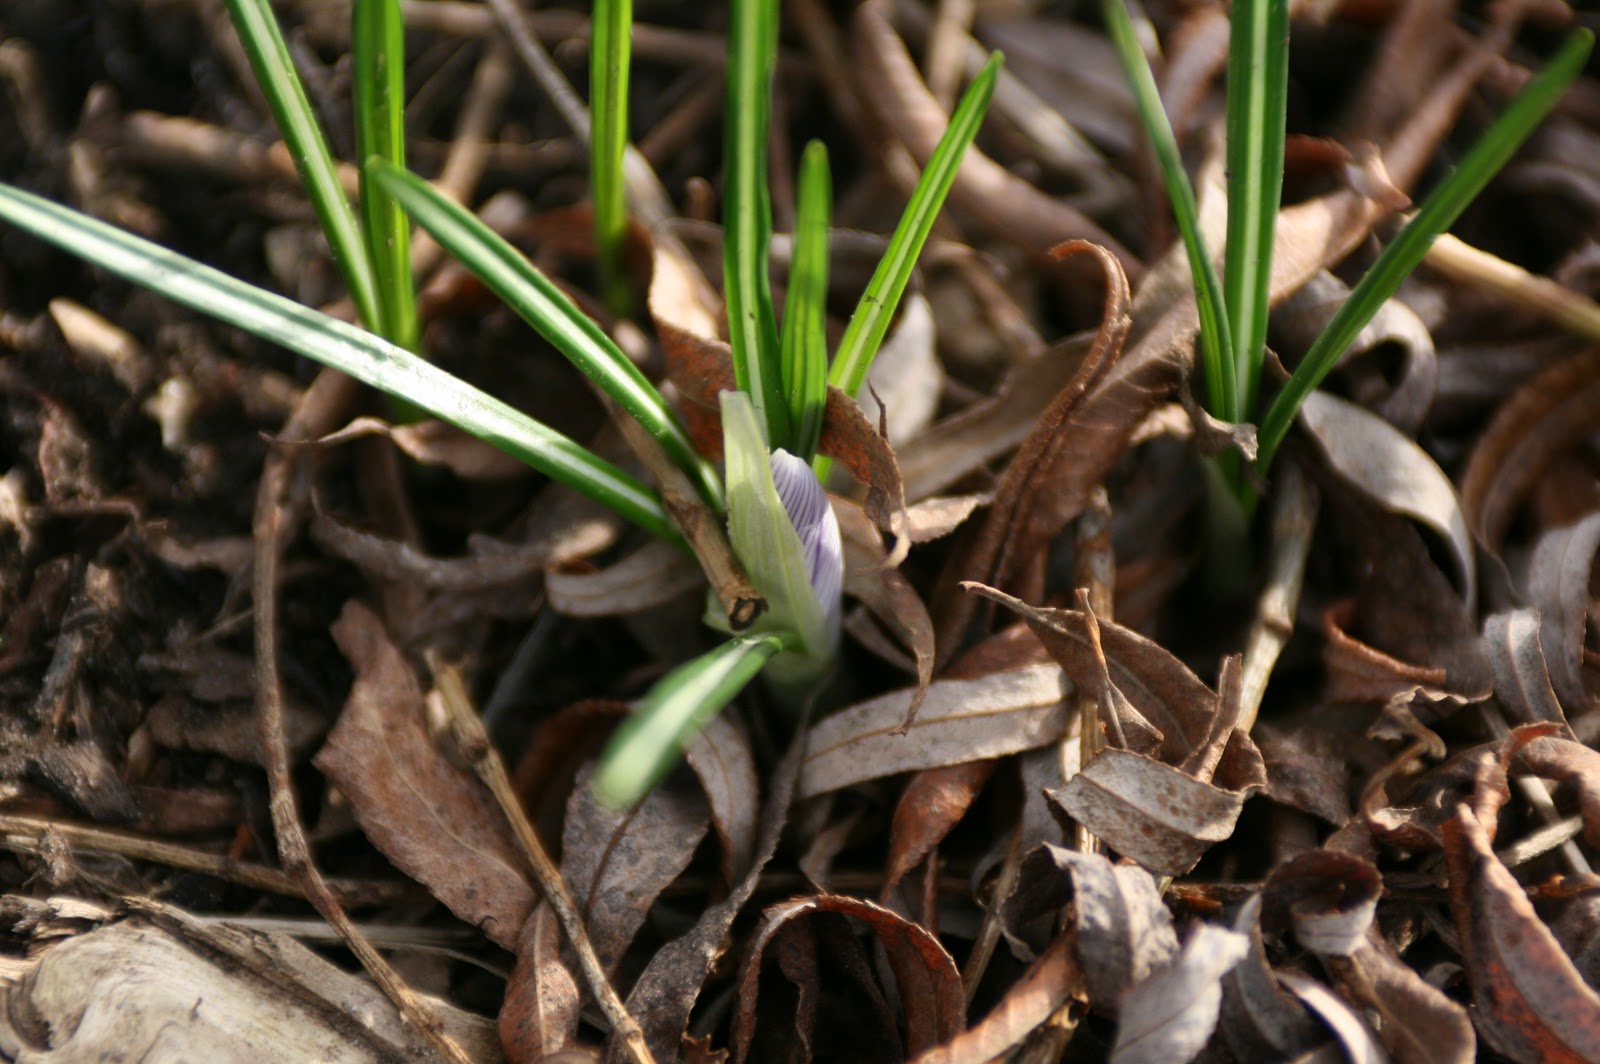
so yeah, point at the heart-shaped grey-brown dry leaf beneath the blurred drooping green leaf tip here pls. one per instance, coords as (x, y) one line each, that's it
(618, 862)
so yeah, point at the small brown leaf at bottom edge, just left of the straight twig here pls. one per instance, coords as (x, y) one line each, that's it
(540, 1014)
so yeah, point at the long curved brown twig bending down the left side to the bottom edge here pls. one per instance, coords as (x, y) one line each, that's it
(279, 513)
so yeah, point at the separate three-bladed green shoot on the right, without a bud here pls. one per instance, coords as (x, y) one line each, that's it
(1234, 310)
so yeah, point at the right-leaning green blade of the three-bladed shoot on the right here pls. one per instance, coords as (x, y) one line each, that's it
(1438, 215)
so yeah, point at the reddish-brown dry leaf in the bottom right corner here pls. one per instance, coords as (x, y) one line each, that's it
(1532, 1004)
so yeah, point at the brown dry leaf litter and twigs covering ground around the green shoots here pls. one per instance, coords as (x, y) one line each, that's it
(1095, 780)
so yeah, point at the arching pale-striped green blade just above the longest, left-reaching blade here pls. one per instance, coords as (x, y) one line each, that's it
(543, 306)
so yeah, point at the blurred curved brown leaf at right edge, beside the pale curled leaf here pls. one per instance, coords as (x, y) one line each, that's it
(1545, 418)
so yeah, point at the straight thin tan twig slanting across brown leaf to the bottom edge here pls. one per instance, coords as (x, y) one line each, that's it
(474, 745)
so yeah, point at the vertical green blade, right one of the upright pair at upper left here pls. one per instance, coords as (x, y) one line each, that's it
(378, 52)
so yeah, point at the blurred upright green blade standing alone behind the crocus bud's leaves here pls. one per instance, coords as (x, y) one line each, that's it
(610, 50)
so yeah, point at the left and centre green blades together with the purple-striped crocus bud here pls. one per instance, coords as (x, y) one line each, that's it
(782, 527)
